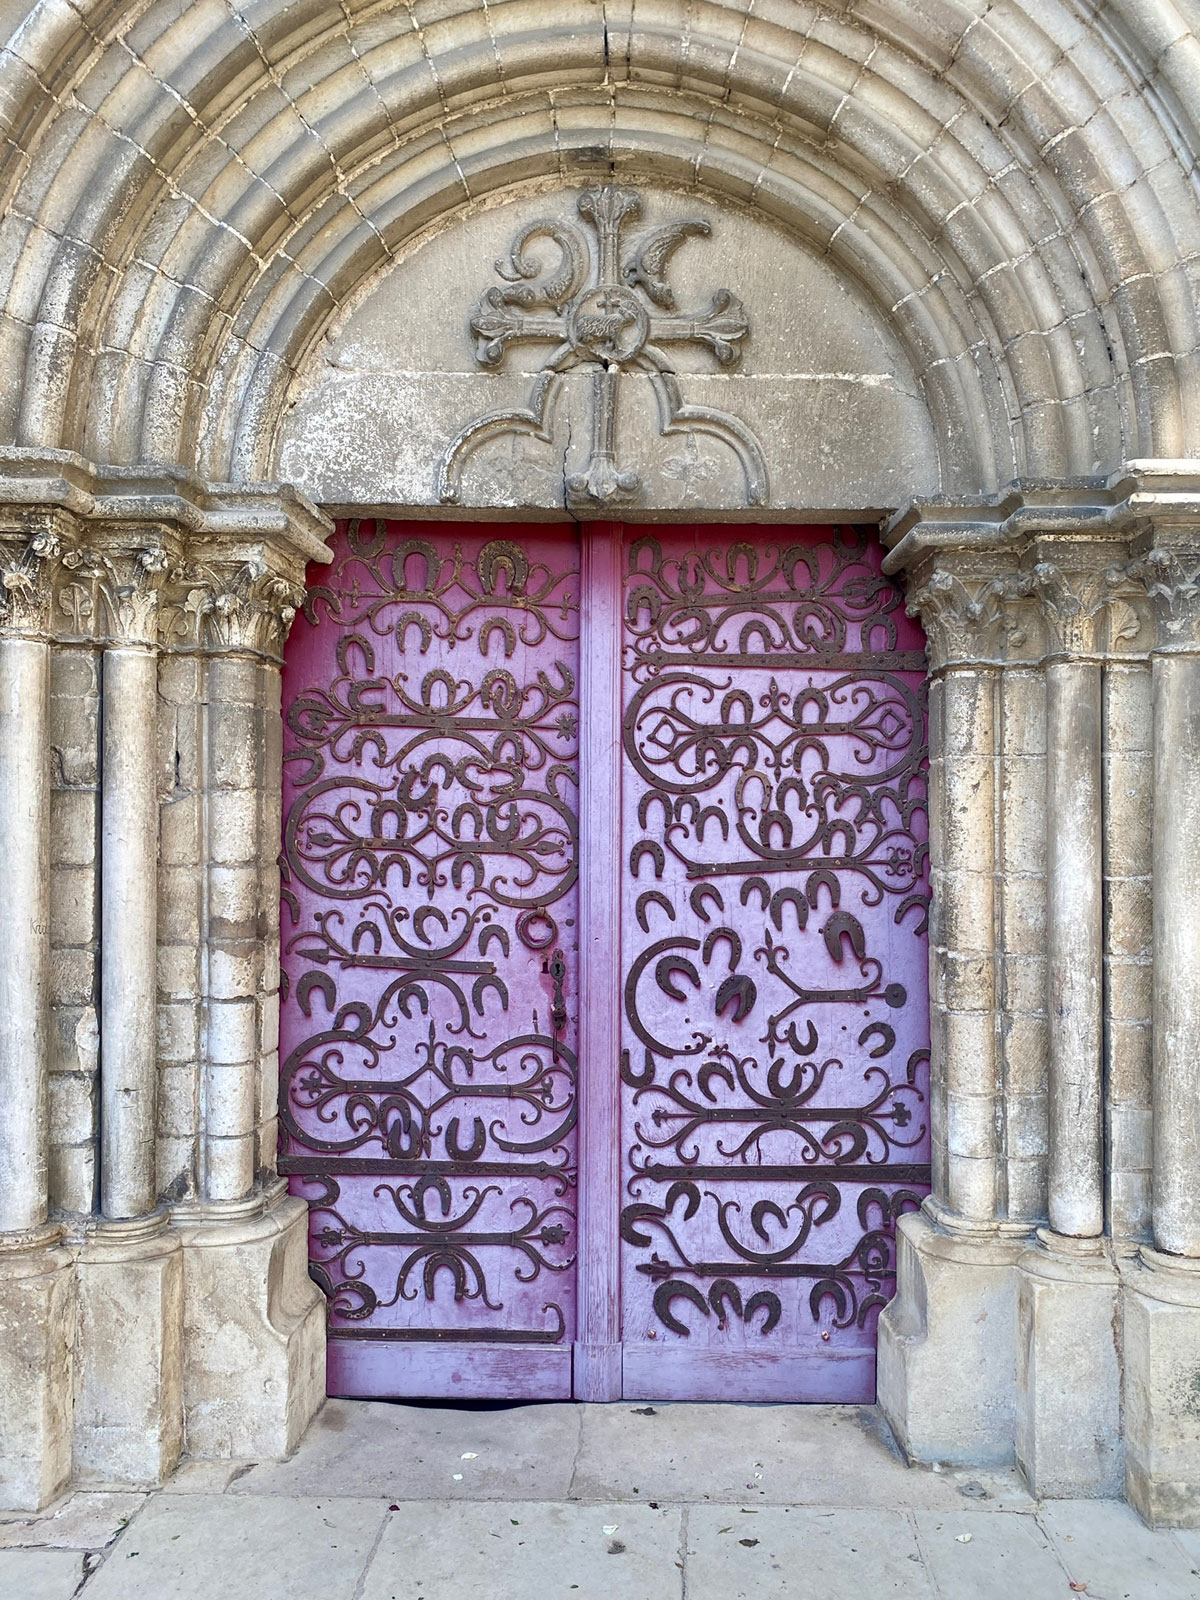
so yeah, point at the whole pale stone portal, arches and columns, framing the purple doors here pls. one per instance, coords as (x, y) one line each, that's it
(194, 206)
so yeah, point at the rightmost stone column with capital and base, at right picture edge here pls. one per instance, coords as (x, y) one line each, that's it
(1162, 1303)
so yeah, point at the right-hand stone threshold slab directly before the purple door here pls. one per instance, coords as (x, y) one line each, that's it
(767, 1455)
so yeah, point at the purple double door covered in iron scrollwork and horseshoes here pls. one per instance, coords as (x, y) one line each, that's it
(606, 1022)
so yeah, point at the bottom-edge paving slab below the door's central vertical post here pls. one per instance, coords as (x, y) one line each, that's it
(514, 1551)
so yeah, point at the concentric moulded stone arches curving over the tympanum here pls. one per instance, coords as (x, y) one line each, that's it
(274, 158)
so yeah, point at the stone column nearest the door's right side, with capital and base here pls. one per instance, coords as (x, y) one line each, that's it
(946, 1343)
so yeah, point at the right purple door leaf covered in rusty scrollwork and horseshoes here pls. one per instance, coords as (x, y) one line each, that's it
(775, 1071)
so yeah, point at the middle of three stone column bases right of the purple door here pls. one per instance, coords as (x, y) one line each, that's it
(1068, 1414)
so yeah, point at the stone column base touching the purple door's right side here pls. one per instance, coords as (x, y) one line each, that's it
(948, 1345)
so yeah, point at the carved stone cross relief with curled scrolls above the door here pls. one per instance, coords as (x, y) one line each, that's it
(609, 310)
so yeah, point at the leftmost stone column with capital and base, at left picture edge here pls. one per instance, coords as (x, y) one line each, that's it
(36, 1273)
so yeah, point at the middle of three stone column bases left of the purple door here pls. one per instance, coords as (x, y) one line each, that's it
(129, 1362)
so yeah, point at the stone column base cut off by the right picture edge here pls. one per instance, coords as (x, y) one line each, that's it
(1162, 1390)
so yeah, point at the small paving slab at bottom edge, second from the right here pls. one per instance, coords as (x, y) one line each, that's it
(990, 1558)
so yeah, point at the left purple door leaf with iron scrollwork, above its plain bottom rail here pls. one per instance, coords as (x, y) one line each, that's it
(430, 882)
